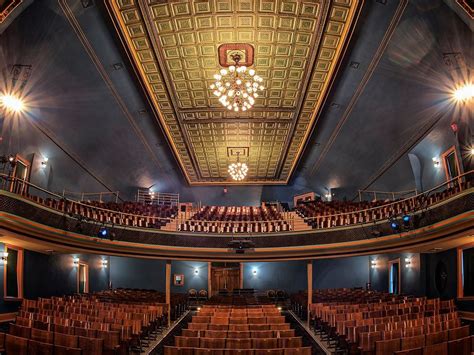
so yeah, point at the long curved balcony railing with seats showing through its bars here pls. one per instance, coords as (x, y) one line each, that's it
(175, 220)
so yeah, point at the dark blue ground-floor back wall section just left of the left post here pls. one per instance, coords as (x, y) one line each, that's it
(138, 273)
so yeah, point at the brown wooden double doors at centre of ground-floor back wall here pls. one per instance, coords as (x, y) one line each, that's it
(225, 277)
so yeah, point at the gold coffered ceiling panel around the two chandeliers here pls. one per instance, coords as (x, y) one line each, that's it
(174, 47)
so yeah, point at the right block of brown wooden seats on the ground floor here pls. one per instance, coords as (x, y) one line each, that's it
(370, 322)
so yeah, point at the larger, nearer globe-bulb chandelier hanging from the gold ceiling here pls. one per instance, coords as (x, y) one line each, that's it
(237, 88)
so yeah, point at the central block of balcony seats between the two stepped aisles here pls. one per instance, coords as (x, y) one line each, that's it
(236, 219)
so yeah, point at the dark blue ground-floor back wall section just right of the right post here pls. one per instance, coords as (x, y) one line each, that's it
(341, 272)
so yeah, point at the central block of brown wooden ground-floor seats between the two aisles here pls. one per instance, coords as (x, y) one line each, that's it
(231, 329)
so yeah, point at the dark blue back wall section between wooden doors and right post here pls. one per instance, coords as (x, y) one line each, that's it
(290, 276)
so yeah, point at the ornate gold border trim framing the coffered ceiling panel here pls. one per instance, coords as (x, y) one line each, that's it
(130, 10)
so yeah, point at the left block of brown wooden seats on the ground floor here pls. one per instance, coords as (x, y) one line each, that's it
(112, 322)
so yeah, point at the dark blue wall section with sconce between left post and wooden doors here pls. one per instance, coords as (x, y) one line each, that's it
(191, 280)
